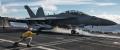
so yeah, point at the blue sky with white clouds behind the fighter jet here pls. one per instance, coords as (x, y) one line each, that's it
(107, 9)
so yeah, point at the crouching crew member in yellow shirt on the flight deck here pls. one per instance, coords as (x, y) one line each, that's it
(26, 36)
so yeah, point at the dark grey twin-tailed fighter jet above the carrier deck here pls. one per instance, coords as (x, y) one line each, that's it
(66, 19)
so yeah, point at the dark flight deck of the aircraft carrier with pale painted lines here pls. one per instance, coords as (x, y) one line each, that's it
(59, 41)
